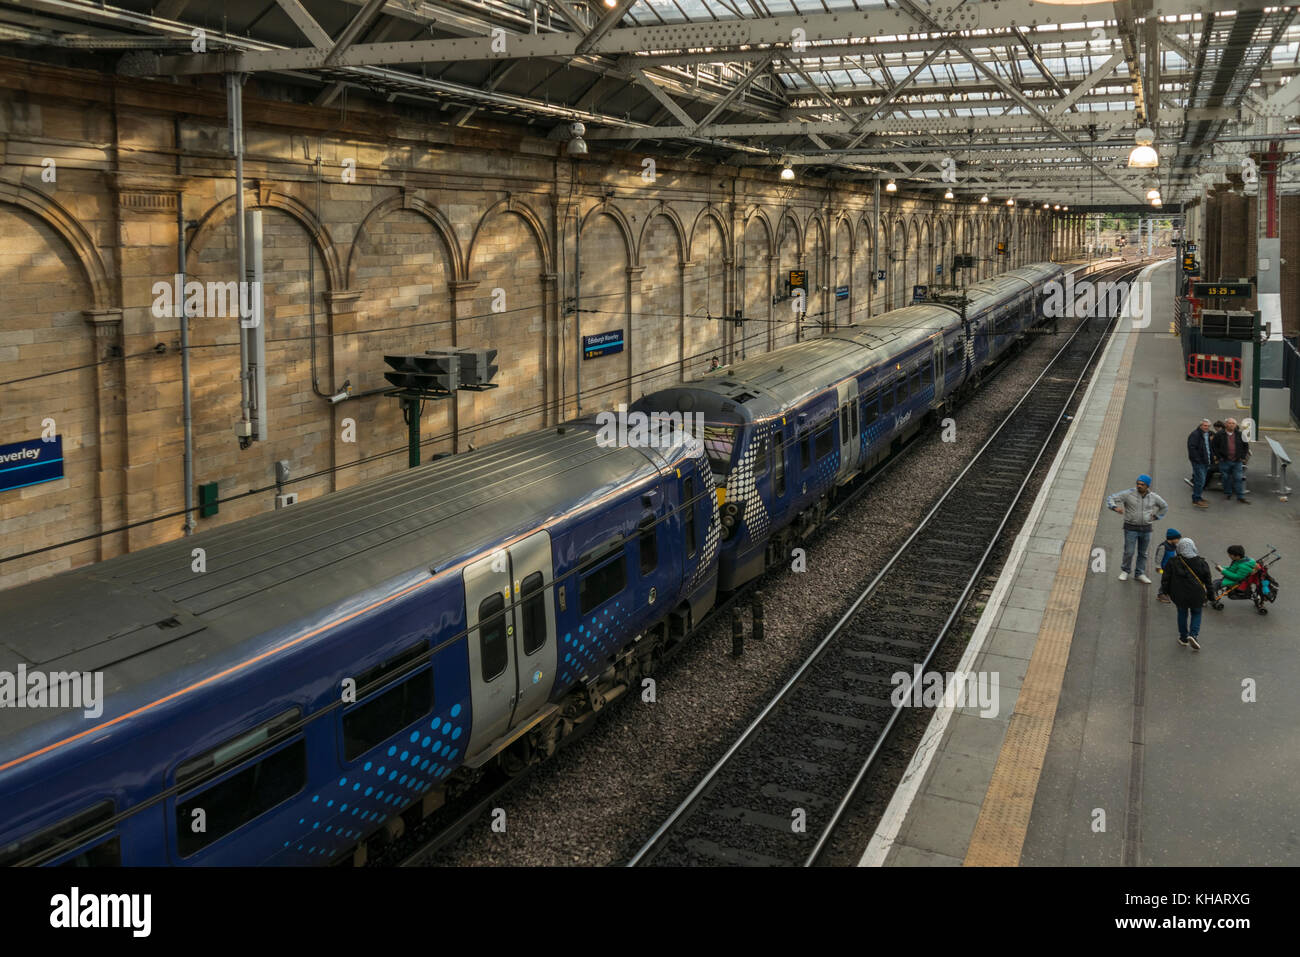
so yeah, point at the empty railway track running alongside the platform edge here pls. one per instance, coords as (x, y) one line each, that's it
(779, 793)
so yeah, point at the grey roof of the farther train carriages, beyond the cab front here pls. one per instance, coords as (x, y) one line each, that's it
(773, 383)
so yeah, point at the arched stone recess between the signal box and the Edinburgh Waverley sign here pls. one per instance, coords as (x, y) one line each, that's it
(502, 305)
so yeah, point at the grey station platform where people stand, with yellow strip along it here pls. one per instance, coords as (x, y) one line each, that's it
(1113, 744)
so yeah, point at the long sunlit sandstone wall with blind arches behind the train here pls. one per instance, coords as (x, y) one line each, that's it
(405, 236)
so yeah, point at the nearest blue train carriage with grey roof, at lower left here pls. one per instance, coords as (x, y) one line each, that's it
(315, 672)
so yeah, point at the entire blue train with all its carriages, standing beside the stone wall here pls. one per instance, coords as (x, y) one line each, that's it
(285, 688)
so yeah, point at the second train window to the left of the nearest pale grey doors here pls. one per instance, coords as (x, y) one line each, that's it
(253, 791)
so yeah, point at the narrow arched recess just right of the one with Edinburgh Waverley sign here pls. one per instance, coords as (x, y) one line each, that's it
(657, 326)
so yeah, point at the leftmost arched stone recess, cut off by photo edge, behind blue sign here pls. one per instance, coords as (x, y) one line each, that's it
(49, 276)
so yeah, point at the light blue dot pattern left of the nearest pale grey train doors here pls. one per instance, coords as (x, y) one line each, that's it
(431, 756)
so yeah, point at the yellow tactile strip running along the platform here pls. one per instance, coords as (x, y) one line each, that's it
(1004, 819)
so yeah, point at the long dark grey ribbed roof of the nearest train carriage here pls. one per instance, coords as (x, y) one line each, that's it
(141, 616)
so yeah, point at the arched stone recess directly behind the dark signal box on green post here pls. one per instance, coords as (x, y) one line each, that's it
(404, 271)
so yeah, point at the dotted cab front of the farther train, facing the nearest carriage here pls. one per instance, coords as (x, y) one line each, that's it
(725, 428)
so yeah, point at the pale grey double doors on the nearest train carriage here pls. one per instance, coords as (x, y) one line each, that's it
(510, 618)
